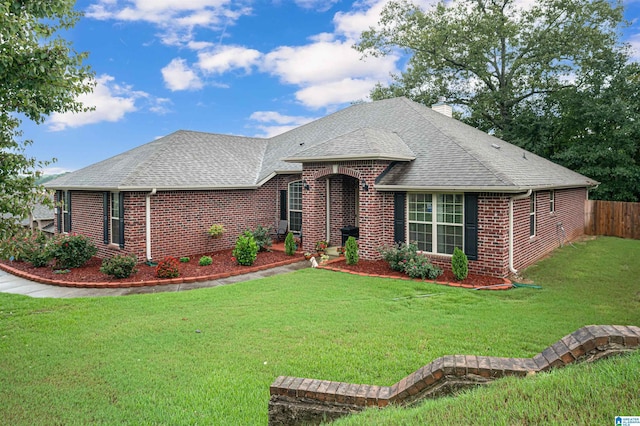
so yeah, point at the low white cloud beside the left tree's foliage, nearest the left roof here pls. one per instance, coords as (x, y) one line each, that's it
(111, 101)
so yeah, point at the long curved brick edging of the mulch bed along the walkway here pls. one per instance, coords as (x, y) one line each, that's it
(149, 283)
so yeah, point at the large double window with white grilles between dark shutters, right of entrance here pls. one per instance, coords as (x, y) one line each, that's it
(445, 216)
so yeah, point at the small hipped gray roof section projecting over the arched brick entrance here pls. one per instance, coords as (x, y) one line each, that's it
(360, 144)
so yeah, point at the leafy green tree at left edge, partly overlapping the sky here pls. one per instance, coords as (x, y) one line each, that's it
(40, 73)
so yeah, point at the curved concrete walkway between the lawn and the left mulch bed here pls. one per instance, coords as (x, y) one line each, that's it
(16, 285)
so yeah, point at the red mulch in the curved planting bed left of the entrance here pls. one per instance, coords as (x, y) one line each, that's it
(90, 272)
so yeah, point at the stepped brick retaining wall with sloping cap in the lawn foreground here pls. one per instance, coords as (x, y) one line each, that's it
(296, 400)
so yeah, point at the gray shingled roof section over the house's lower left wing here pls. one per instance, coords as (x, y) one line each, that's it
(181, 160)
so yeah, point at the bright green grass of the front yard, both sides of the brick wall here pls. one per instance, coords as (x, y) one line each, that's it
(140, 360)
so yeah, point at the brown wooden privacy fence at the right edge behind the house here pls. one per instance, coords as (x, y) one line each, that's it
(612, 218)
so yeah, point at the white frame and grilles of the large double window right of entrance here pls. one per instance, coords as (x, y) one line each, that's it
(436, 219)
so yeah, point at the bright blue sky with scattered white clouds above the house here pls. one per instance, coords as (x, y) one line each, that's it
(248, 67)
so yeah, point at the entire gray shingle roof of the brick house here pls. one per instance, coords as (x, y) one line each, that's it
(435, 152)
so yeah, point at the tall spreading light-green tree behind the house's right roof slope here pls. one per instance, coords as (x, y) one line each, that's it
(489, 57)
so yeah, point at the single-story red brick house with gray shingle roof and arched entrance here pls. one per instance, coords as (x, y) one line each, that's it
(390, 171)
